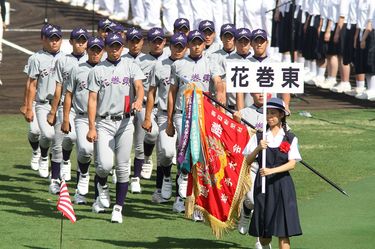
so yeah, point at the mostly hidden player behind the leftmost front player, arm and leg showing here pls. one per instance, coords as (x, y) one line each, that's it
(34, 131)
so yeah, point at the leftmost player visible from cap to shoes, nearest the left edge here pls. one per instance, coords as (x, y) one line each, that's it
(42, 88)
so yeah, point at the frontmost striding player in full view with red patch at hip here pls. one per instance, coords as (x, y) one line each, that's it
(112, 84)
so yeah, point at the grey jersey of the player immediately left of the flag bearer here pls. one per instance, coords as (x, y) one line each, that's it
(161, 79)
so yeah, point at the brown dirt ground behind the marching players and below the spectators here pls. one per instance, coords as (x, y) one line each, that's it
(30, 14)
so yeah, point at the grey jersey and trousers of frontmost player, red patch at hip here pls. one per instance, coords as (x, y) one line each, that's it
(113, 83)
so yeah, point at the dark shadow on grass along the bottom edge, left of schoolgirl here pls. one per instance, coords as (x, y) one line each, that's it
(172, 242)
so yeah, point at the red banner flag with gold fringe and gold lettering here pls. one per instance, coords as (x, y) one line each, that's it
(219, 184)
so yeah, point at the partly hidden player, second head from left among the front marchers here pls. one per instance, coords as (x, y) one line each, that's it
(78, 40)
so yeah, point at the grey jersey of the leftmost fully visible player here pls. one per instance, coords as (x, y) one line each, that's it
(42, 68)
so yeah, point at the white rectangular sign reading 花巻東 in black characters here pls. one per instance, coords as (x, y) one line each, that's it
(264, 77)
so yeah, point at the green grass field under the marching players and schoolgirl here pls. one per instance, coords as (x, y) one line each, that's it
(337, 143)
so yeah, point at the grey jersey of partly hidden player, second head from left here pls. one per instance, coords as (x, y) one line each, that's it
(63, 68)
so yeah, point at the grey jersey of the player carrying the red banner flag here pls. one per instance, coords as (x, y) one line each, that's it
(200, 71)
